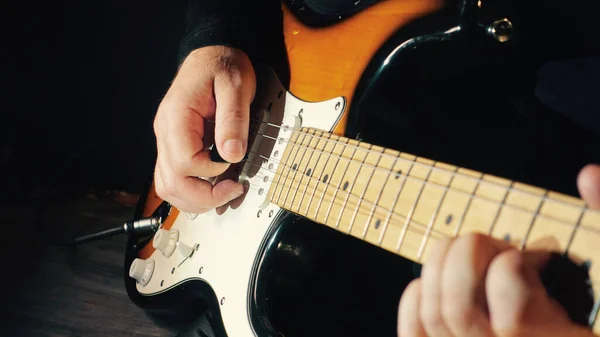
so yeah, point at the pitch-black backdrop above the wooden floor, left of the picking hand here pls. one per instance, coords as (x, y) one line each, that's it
(82, 82)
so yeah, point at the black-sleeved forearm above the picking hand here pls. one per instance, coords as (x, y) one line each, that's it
(252, 26)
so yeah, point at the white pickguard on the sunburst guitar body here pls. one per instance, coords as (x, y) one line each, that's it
(229, 243)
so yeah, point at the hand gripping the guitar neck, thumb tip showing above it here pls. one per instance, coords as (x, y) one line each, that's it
(476, 286)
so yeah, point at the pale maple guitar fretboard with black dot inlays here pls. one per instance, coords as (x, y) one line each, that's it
(403, 203)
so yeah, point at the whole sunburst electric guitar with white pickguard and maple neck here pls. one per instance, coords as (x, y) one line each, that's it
(337, 217)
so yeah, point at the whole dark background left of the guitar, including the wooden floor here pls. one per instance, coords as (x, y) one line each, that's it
(81, 84)
